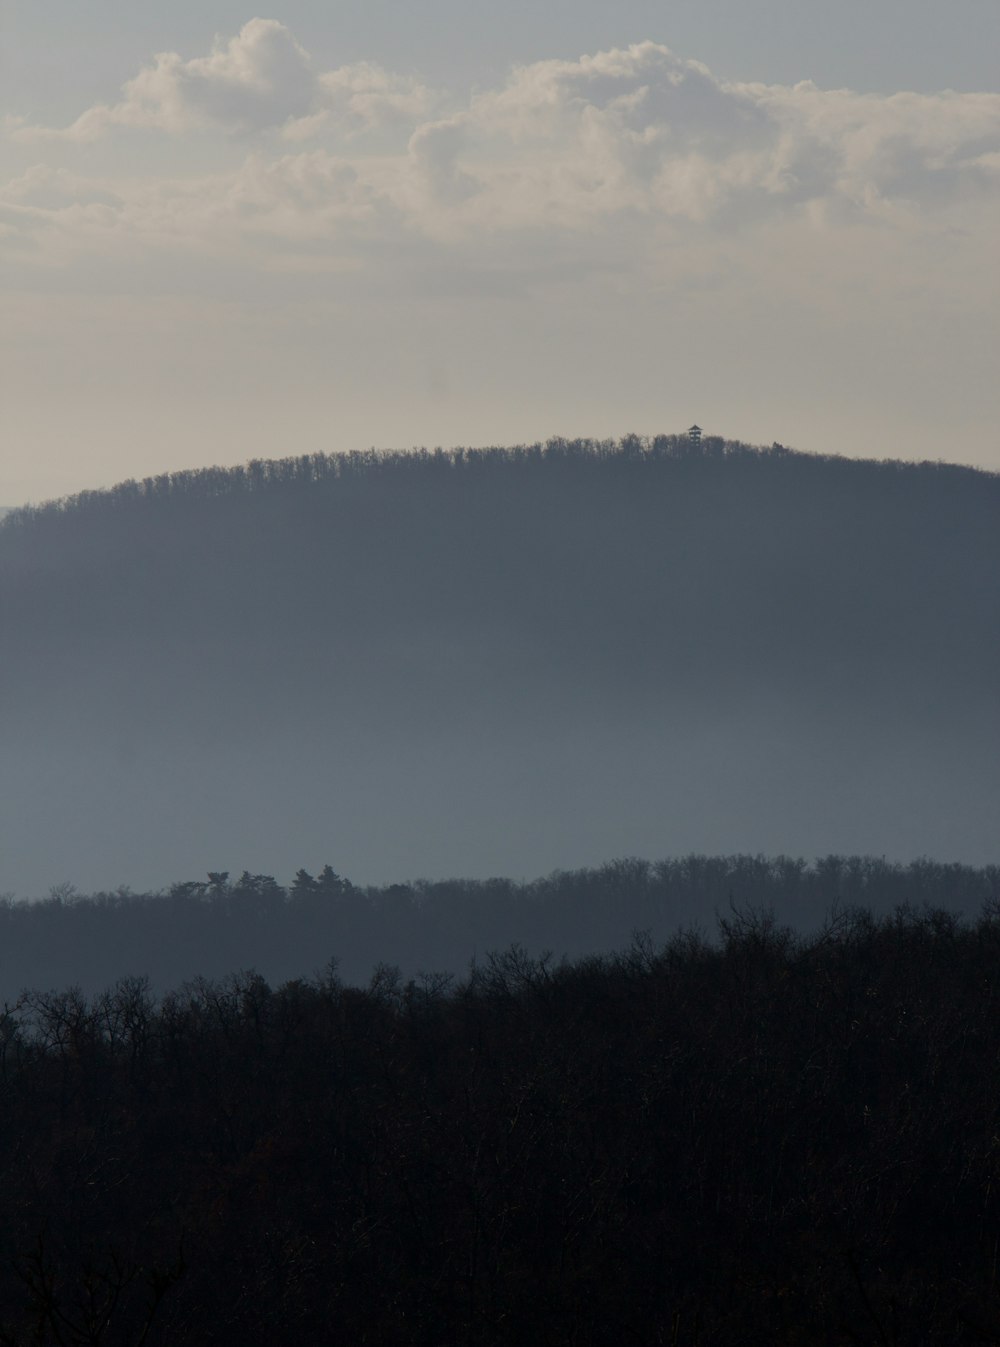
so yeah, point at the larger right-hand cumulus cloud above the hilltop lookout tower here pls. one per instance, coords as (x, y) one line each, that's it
(642, 129)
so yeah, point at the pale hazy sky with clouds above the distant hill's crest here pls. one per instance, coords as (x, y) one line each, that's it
(228, 234)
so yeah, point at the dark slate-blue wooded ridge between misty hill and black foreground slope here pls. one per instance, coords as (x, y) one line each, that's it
(211, 927)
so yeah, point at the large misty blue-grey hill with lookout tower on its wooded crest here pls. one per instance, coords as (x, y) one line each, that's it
(499, 663)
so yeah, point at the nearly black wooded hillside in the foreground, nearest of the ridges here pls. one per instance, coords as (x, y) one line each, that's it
(766, 1140)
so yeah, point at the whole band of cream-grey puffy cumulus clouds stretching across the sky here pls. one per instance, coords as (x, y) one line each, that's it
(563, 149)
